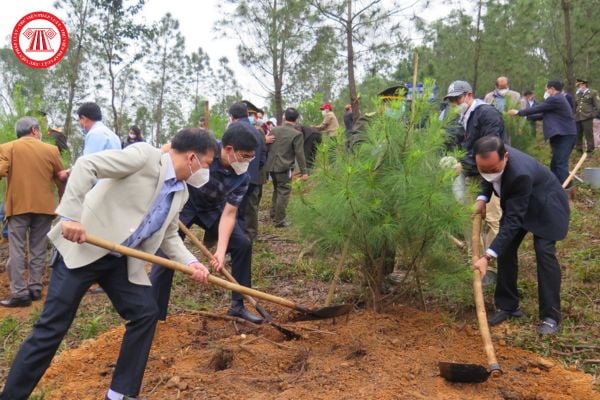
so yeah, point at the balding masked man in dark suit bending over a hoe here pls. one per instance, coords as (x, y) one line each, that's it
(532, 200)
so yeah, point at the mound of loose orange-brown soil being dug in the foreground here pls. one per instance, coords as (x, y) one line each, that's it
(368, 356)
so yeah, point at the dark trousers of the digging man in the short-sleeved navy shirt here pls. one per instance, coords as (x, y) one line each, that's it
(240, 248)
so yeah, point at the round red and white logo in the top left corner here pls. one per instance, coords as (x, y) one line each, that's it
(40, 40)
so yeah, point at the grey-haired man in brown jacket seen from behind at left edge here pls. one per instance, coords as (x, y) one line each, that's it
(30, 167)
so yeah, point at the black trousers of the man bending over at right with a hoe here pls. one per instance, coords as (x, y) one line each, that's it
(548, 274)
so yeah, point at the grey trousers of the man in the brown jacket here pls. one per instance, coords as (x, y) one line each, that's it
(37, 225)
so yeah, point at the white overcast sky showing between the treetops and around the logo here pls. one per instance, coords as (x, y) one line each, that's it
(196, 24)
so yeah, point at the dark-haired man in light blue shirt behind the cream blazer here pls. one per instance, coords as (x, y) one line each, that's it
(98, 136)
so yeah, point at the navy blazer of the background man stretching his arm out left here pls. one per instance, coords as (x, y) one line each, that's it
(557, 115)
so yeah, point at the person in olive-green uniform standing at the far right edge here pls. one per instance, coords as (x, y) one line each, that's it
(587, 104)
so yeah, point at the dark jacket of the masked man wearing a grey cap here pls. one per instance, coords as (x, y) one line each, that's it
(484, 120)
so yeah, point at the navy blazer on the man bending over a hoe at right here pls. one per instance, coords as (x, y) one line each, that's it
(531, 198)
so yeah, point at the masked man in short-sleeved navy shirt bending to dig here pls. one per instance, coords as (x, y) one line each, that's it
(213, 207)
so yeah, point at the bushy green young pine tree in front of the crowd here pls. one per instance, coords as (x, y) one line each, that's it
(388, 193)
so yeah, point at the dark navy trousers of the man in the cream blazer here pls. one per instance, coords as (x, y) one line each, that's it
(67, 287)
